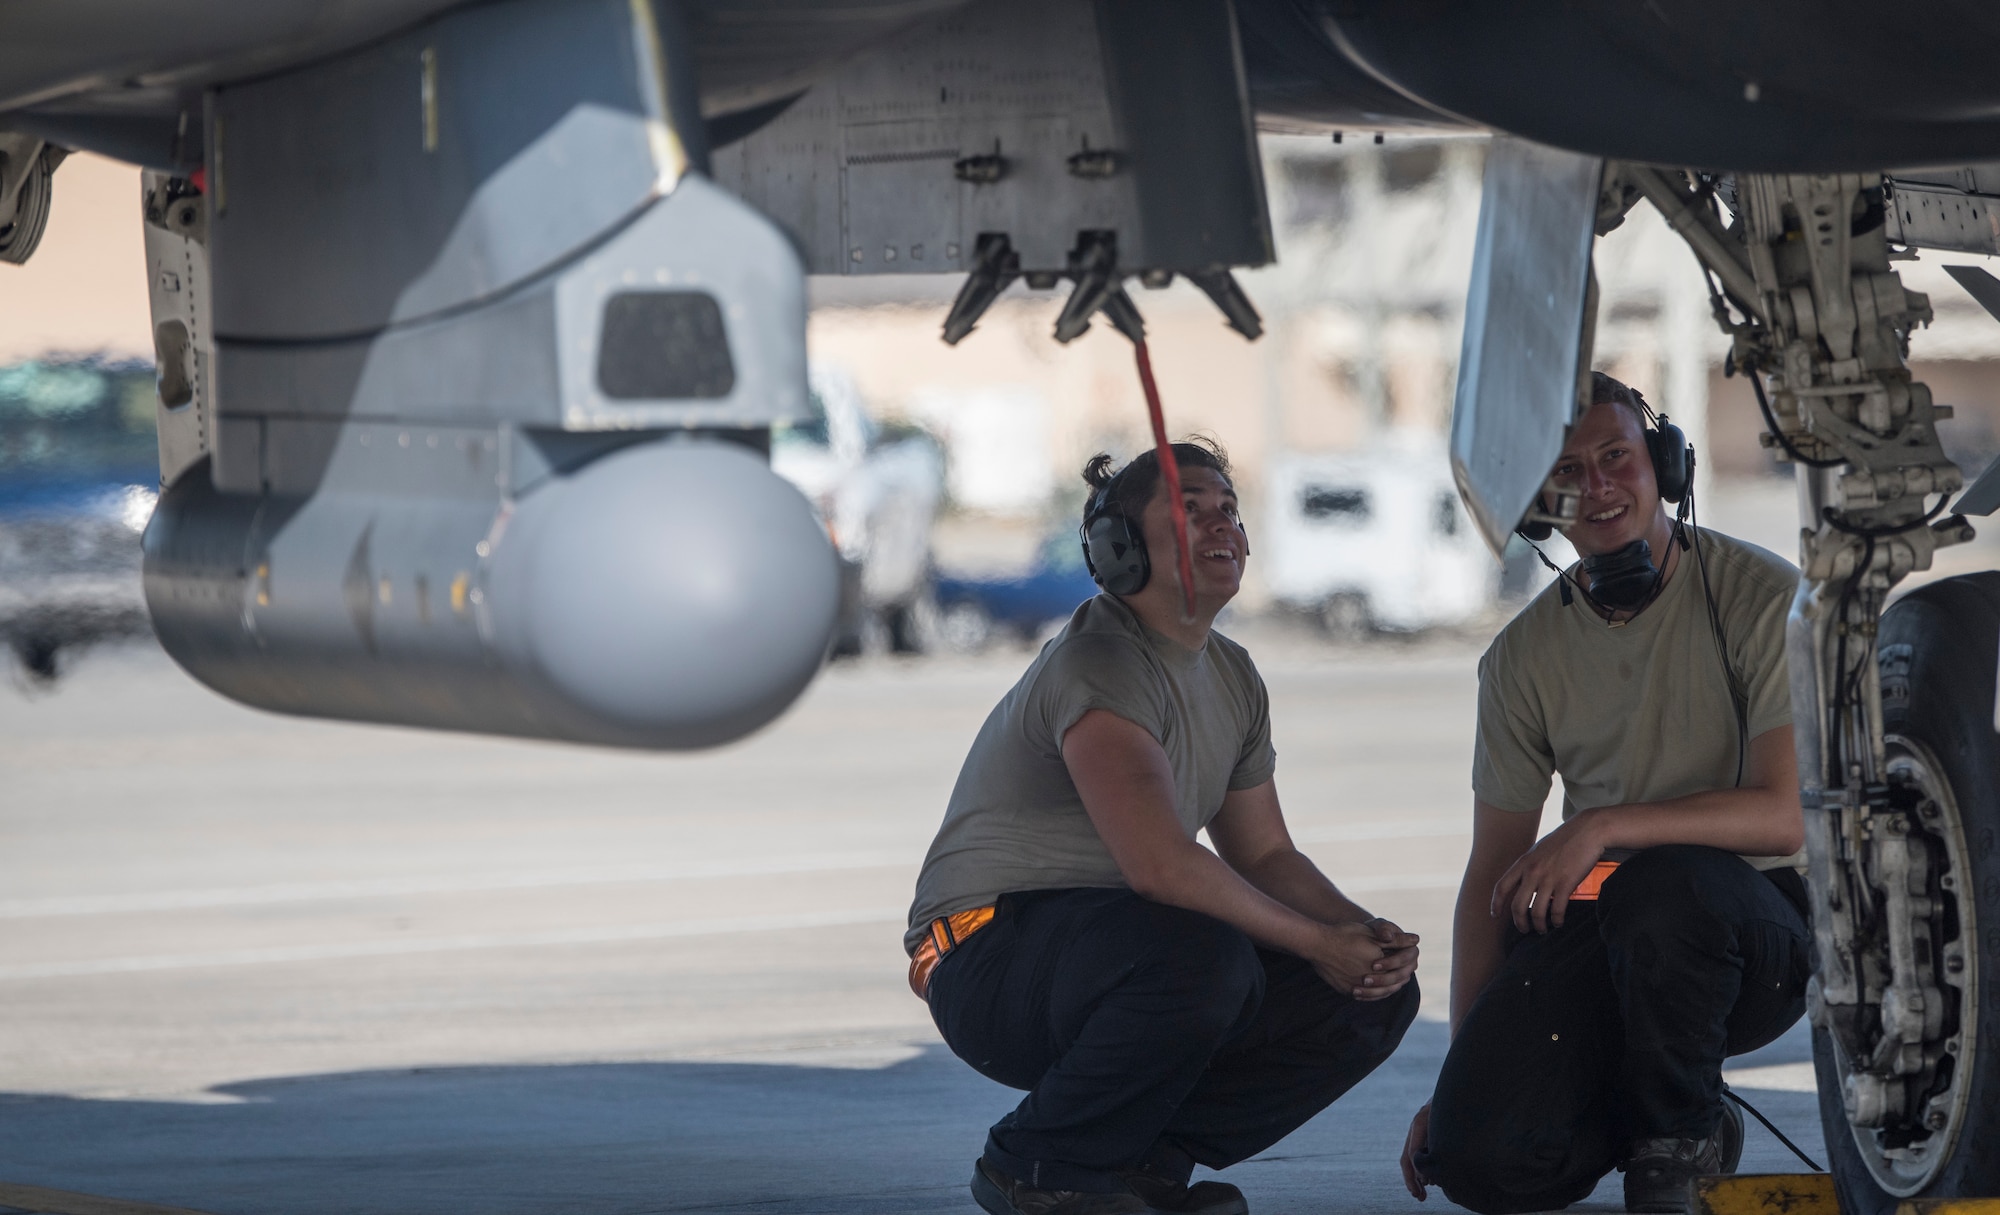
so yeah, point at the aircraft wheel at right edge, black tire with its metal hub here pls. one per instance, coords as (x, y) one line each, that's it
(1939, 650)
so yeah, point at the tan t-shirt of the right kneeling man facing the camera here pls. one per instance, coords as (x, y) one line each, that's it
(1637, 712)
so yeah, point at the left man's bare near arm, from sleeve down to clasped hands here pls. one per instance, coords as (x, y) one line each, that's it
(1129, 790)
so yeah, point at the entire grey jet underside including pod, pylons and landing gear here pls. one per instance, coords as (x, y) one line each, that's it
(473, 323)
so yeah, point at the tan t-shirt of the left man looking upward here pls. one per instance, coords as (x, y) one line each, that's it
(1015, 820)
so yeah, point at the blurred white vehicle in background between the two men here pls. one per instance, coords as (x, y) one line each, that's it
(1375, 541)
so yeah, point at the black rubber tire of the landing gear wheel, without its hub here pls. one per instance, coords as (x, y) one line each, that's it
(1939, 650)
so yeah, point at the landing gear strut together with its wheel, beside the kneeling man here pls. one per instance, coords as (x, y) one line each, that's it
(1893, 716)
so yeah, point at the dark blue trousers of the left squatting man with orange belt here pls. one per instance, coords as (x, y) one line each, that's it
(1149, 1038)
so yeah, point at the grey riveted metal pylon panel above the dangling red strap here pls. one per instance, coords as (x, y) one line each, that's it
(1089, 115)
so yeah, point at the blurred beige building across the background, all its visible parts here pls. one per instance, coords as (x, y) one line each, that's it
(1363, 323)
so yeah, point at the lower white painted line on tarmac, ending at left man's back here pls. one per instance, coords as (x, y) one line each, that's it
(587, 936)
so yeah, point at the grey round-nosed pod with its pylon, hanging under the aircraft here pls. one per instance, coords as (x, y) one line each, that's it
(469, 425)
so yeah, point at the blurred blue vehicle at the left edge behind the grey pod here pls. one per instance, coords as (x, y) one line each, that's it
(79, 479)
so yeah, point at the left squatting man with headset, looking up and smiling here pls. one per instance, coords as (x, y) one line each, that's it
(1163, 1004)
